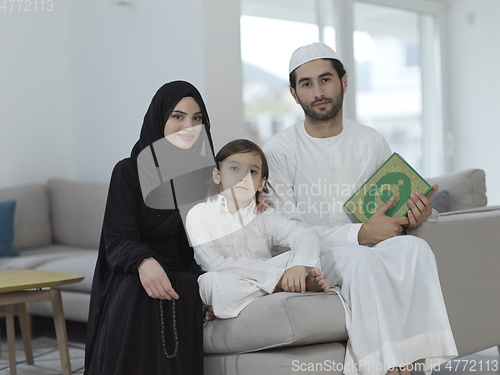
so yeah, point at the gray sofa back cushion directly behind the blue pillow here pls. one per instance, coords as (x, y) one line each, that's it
(31, 219)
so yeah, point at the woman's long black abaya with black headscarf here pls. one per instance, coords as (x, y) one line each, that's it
(124, 333)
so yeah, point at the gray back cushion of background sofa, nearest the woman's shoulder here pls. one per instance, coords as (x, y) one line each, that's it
(77, 211)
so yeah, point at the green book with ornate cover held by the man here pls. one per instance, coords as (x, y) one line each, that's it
(394, 178)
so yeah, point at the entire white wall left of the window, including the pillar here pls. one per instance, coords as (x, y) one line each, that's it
(76, 82)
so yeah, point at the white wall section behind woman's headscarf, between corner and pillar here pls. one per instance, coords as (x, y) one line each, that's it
(120, 56)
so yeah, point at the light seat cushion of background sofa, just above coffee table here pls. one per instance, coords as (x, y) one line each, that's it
(37, 257)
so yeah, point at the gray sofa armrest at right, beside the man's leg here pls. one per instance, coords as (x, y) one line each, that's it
(467, 249)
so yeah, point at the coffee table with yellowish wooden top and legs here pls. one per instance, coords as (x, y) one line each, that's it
(20, 286)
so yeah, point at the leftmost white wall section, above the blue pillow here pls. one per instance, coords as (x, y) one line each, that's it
(35, 137)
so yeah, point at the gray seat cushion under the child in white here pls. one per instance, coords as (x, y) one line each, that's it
(277, 320)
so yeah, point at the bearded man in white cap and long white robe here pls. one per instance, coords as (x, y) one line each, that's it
(315, 166)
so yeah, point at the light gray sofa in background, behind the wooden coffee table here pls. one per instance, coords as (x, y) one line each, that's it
(57, 228)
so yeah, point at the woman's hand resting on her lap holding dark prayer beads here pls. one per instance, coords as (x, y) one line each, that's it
(155, 281)
